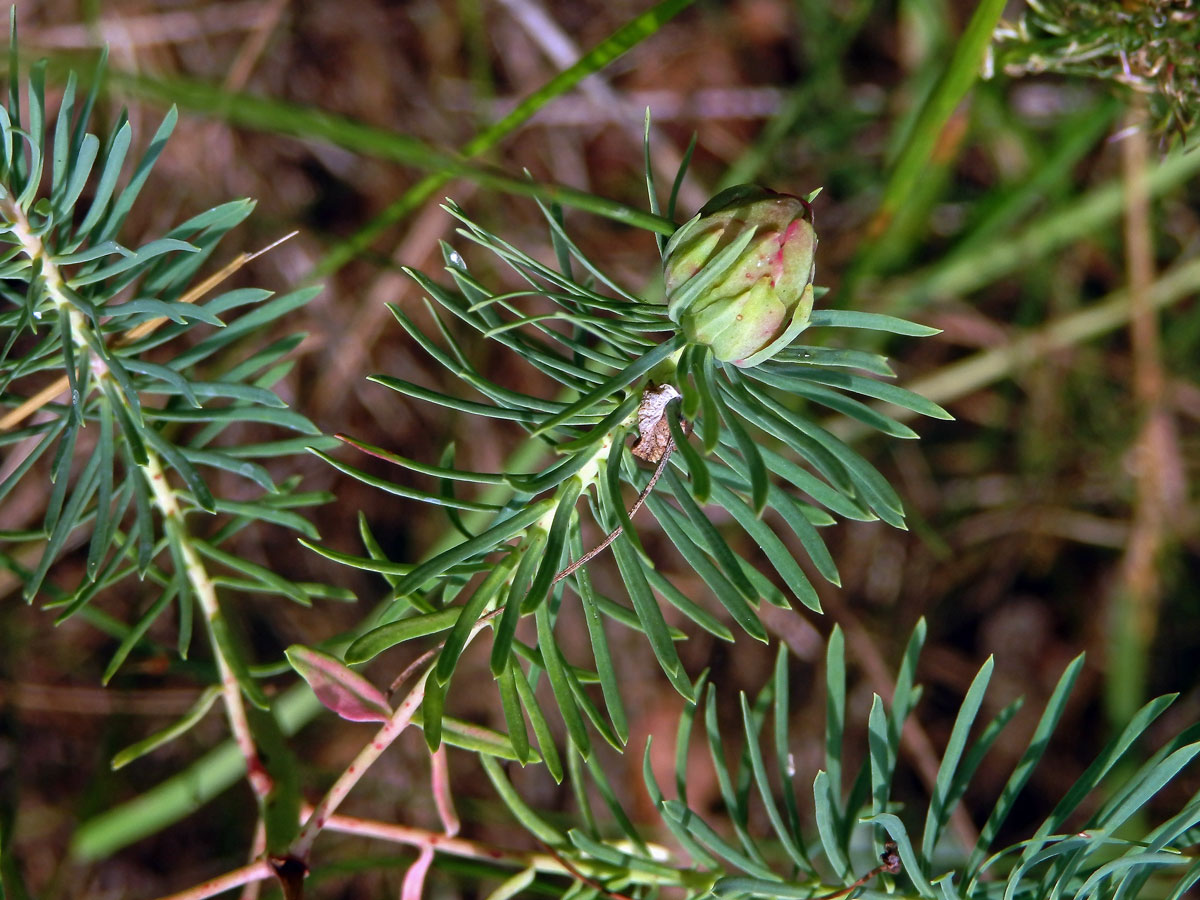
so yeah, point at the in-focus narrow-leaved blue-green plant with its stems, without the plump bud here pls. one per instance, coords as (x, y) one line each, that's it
(130, 380)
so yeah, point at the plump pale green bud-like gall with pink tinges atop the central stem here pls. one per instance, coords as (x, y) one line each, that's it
(740, 275)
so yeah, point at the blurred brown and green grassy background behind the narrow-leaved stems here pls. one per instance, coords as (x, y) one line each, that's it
(1051, 231)
